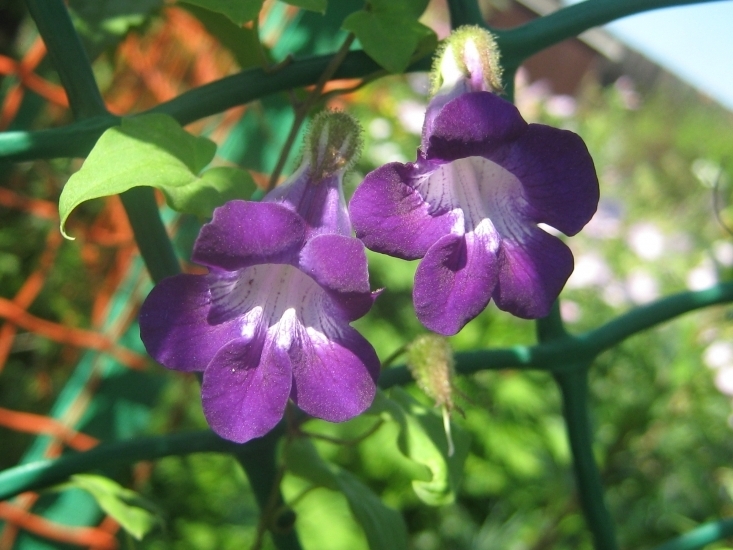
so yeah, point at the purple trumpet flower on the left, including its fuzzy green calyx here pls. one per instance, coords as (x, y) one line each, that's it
(270, 321)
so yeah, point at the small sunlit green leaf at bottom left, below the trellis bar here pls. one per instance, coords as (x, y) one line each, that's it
(127, 507)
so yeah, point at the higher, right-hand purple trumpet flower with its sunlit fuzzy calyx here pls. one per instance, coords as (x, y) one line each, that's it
(470, 204)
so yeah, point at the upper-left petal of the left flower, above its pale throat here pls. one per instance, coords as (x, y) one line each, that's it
(246, 233)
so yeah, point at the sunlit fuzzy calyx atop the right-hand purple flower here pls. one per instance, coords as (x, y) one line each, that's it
(469, 56)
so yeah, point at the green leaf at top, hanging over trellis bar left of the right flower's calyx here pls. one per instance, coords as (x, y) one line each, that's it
(389, 37)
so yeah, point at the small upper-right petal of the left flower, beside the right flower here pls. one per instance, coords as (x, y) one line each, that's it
(336, 262)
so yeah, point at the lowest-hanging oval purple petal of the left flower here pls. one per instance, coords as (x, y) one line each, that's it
(246, 388)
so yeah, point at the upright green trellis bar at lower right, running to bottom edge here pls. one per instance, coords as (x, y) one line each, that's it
(574, 388)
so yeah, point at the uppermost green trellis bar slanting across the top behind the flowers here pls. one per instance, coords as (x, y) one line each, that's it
(516, 44)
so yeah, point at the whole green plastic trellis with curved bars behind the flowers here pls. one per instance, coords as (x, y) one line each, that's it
(567, 357)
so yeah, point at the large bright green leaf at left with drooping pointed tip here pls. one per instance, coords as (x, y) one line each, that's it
(154, 150)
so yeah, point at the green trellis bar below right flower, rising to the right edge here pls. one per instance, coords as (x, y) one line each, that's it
(559, 355)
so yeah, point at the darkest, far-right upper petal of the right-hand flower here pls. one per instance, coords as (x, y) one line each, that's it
(557, 175)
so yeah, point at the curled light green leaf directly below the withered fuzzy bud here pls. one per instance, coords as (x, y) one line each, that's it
(423, 440)
